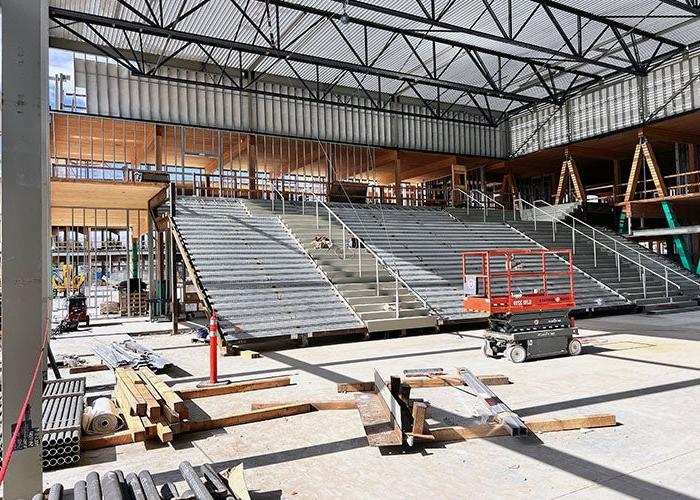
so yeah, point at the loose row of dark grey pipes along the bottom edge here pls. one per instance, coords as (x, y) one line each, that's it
(114, 485)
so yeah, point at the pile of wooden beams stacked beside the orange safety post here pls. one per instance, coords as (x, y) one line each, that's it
(151, 409)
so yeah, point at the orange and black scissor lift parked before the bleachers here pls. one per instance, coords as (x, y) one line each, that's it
(528, 295)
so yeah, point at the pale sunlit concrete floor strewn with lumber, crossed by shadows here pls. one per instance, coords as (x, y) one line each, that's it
(644, 369)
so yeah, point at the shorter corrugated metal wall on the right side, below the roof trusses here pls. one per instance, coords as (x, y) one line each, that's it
(671, 89)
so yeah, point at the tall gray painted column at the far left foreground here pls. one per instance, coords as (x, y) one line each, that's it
(25, 229)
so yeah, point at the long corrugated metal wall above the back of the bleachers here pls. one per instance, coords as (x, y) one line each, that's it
(112, 91)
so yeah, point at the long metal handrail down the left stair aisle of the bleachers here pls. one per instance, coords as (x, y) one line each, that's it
(378, 261)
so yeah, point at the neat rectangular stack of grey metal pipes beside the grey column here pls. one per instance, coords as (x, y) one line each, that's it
(61, 417)
